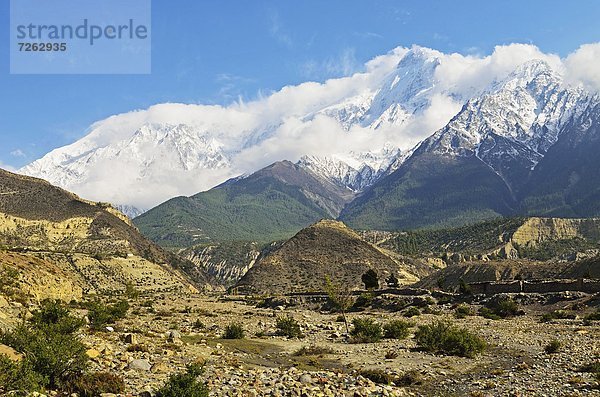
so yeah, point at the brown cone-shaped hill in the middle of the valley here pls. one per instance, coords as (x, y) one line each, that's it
(325, 249)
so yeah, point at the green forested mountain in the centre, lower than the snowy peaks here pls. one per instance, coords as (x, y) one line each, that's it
(271, 204)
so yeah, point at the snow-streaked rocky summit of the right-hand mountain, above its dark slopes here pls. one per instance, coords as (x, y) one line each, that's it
(512, 125)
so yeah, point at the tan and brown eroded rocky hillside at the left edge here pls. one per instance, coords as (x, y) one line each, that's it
(62, 246)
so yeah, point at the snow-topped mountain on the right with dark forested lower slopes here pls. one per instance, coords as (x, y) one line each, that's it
(526, 146)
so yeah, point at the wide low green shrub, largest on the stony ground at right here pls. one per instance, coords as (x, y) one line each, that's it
(441, 337)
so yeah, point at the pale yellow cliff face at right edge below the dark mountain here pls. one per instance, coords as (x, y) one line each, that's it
(537, 230)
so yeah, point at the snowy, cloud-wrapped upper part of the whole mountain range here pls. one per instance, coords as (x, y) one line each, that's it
(351, 131)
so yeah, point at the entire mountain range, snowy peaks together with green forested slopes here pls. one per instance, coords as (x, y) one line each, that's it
(521, 142)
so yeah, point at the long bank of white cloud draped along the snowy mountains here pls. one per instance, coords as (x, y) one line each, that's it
(282, 124)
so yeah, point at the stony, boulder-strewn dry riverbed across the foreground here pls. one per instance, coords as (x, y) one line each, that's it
(163, 334)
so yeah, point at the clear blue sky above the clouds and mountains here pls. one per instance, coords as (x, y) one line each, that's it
(217, 51)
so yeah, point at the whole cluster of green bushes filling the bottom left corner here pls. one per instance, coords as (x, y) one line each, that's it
(53, 356)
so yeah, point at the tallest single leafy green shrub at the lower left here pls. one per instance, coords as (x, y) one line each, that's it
(49, 344)
